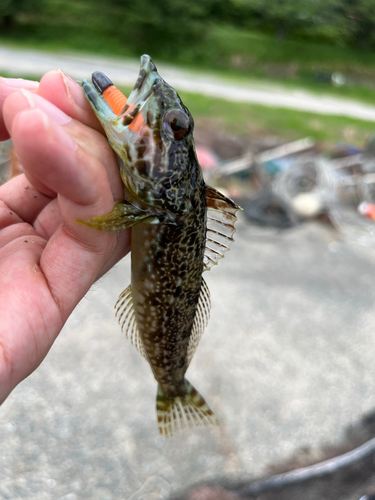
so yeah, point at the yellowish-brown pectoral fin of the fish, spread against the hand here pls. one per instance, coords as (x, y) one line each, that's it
(123, 215)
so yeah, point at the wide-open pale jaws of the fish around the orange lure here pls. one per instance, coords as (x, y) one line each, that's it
(140, 94)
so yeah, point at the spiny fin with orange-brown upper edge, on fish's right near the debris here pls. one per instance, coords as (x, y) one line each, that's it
(221, 216)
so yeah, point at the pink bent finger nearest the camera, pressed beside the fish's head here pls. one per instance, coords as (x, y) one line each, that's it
(51, 157)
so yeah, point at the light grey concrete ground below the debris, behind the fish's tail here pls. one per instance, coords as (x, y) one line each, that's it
(287, 361)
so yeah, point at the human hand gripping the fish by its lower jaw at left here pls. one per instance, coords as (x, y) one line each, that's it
(47, 260)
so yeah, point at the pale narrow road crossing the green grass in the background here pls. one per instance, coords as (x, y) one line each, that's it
(123, 71)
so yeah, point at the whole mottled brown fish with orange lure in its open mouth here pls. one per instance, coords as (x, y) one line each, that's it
(180, 227)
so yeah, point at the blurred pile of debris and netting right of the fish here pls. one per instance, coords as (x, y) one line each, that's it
(286, 184)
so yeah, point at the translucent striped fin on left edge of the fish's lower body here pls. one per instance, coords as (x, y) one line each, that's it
(126, 318)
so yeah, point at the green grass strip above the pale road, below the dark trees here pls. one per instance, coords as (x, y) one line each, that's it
(233, 54)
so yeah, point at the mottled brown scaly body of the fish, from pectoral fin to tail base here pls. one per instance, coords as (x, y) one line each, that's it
(167, 275)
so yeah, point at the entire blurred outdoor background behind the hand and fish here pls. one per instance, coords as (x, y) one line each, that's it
(283, 98)
